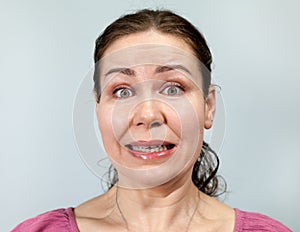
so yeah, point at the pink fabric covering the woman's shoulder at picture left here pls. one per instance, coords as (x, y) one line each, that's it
(62, 220)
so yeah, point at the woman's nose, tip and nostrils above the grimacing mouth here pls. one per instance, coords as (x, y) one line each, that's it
(148, 114)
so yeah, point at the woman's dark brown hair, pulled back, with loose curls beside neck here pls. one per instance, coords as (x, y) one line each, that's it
(164, 21)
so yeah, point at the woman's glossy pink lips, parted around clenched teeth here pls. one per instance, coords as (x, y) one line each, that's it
(151, 155)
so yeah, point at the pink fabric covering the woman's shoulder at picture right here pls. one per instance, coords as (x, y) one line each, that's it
(248, 221)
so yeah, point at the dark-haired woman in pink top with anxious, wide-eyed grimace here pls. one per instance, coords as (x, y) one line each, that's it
(153, 100)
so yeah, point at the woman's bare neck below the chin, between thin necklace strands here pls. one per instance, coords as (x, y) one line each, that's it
(159, 209)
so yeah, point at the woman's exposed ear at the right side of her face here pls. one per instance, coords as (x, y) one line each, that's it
(210, 107)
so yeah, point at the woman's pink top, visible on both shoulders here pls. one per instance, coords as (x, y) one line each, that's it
(63, 220)
